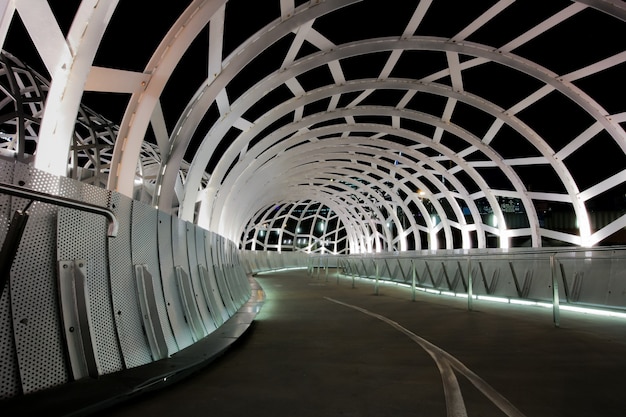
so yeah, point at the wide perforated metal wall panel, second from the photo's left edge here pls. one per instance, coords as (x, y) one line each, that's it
(34, 294)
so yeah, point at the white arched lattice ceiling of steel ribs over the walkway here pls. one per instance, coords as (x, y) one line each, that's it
(431, 123)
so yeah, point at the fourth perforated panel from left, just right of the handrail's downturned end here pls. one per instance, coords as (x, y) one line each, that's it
(135, 348)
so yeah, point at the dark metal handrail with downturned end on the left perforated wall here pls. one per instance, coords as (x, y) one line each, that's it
(17, 191)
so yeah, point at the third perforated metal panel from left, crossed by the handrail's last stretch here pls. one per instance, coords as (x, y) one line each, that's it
(82, 235)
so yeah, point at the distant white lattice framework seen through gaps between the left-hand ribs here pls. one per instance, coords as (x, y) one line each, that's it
(24, 94)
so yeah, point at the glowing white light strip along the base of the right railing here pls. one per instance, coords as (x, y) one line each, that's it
(504, 300)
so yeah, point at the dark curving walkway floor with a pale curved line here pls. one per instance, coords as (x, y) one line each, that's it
(322, 348)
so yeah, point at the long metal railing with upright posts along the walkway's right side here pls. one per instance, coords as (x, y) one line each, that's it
(584, 277)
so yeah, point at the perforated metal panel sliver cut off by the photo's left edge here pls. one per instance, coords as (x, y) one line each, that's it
(9, 375)
